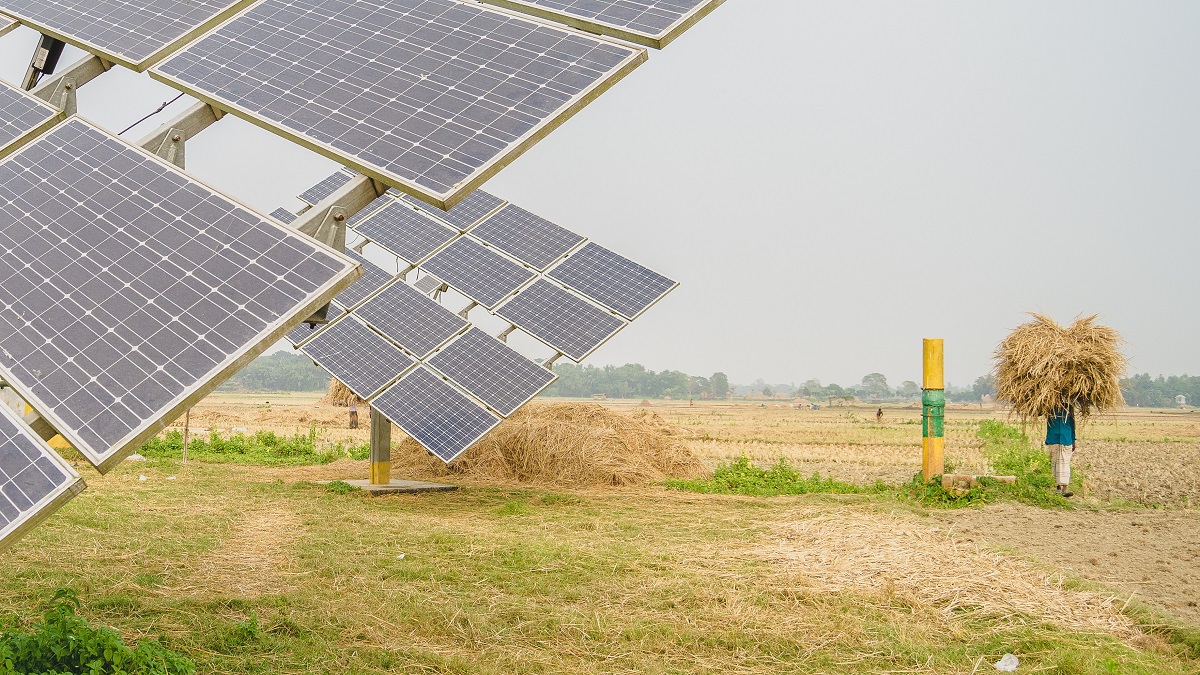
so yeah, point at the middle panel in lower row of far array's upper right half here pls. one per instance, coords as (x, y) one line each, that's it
(477, 272)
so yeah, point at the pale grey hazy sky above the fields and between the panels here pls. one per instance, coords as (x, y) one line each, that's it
(831, 182)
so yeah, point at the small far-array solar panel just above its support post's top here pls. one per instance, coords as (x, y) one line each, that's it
(357, 356)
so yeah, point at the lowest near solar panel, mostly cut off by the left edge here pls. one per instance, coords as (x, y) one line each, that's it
(34, 481)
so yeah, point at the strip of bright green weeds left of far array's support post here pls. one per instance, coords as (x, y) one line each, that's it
(261, 449)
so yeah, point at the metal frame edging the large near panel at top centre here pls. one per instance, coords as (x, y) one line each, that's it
(443, 201)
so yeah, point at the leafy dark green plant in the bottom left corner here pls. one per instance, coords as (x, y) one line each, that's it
(67, 644)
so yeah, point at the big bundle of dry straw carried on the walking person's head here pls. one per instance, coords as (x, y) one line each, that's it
(1043, 367)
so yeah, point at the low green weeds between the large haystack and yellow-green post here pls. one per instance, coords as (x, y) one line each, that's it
(741, 477)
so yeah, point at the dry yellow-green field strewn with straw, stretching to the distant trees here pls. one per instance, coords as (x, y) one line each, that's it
(261, 570)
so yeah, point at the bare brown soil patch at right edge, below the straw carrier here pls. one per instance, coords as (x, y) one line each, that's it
(1153, 555)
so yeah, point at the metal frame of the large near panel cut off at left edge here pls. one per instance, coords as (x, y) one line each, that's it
(230, 367)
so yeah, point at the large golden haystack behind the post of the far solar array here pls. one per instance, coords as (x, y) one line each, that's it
(577, 445)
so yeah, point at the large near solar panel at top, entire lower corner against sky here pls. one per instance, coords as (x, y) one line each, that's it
(430, 97)
